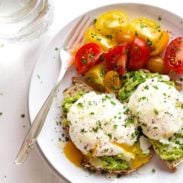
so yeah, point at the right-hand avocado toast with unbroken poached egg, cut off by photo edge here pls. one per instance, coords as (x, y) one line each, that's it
(158, 107)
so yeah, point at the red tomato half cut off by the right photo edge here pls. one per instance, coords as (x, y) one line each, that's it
(173, 59)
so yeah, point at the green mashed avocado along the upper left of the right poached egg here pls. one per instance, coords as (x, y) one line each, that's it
(131, 80)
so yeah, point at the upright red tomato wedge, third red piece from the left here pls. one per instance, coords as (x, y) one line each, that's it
(139, 54)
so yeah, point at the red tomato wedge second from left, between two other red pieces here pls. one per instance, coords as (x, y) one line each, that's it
(116, 58)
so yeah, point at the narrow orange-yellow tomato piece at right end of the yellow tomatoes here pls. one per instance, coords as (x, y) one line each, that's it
(161, 44)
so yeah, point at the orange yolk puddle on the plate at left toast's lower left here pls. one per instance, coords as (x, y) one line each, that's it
(73, 154)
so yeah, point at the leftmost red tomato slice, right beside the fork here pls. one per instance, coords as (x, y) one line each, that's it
(86, 57)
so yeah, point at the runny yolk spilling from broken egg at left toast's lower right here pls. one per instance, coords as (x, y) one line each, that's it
(140, 158)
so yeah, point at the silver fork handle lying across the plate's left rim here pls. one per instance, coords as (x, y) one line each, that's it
(35, 129)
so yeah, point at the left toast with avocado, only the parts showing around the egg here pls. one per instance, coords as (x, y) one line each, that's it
(111, 164)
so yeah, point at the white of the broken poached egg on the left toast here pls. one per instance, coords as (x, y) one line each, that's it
(97, 125)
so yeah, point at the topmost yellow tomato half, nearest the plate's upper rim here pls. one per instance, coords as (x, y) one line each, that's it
(111, 21)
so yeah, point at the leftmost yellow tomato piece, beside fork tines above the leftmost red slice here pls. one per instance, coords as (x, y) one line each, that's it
(105, 42)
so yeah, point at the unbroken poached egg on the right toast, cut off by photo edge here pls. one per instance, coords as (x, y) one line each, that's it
(158, 107)
